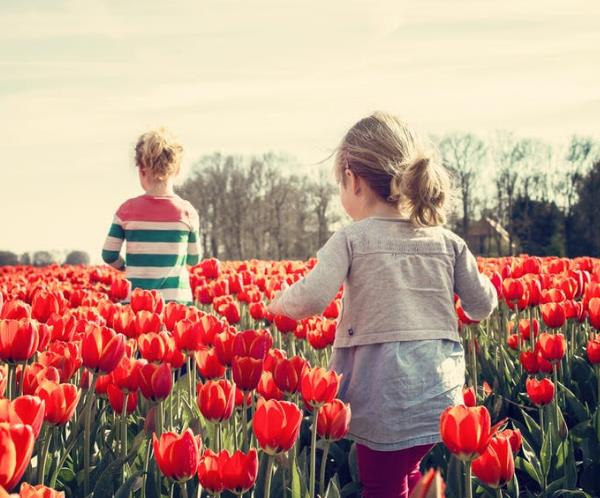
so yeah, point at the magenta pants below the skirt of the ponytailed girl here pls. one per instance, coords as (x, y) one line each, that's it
(389, 474)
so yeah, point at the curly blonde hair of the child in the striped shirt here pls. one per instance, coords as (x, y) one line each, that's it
(159, 154)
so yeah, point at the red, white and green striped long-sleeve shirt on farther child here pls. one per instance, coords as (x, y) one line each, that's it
(161, 235)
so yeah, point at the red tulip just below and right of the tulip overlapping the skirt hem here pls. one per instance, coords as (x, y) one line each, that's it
(496, 465)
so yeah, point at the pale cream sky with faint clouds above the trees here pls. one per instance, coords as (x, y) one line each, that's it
(80, 80)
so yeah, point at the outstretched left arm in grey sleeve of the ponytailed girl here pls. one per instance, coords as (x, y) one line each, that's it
(311, 294)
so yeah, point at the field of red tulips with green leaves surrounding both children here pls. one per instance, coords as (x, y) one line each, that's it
(152, 399)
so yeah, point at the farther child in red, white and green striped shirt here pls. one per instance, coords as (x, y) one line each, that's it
(159, 227)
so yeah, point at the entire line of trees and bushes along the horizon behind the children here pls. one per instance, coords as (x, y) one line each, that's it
(544, 198)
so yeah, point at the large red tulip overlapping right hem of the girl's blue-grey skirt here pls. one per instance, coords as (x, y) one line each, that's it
(465, 431)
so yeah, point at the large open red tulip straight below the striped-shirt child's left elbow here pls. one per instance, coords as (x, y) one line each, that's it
(102, 349)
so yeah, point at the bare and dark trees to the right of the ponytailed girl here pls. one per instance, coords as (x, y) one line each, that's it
(543, 196)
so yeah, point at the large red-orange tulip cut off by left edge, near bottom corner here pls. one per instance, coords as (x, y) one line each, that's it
(16, 447)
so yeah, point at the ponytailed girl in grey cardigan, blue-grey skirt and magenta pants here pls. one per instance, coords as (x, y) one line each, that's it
(397, 345)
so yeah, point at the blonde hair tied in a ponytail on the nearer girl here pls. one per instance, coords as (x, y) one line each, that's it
(390, 157)
